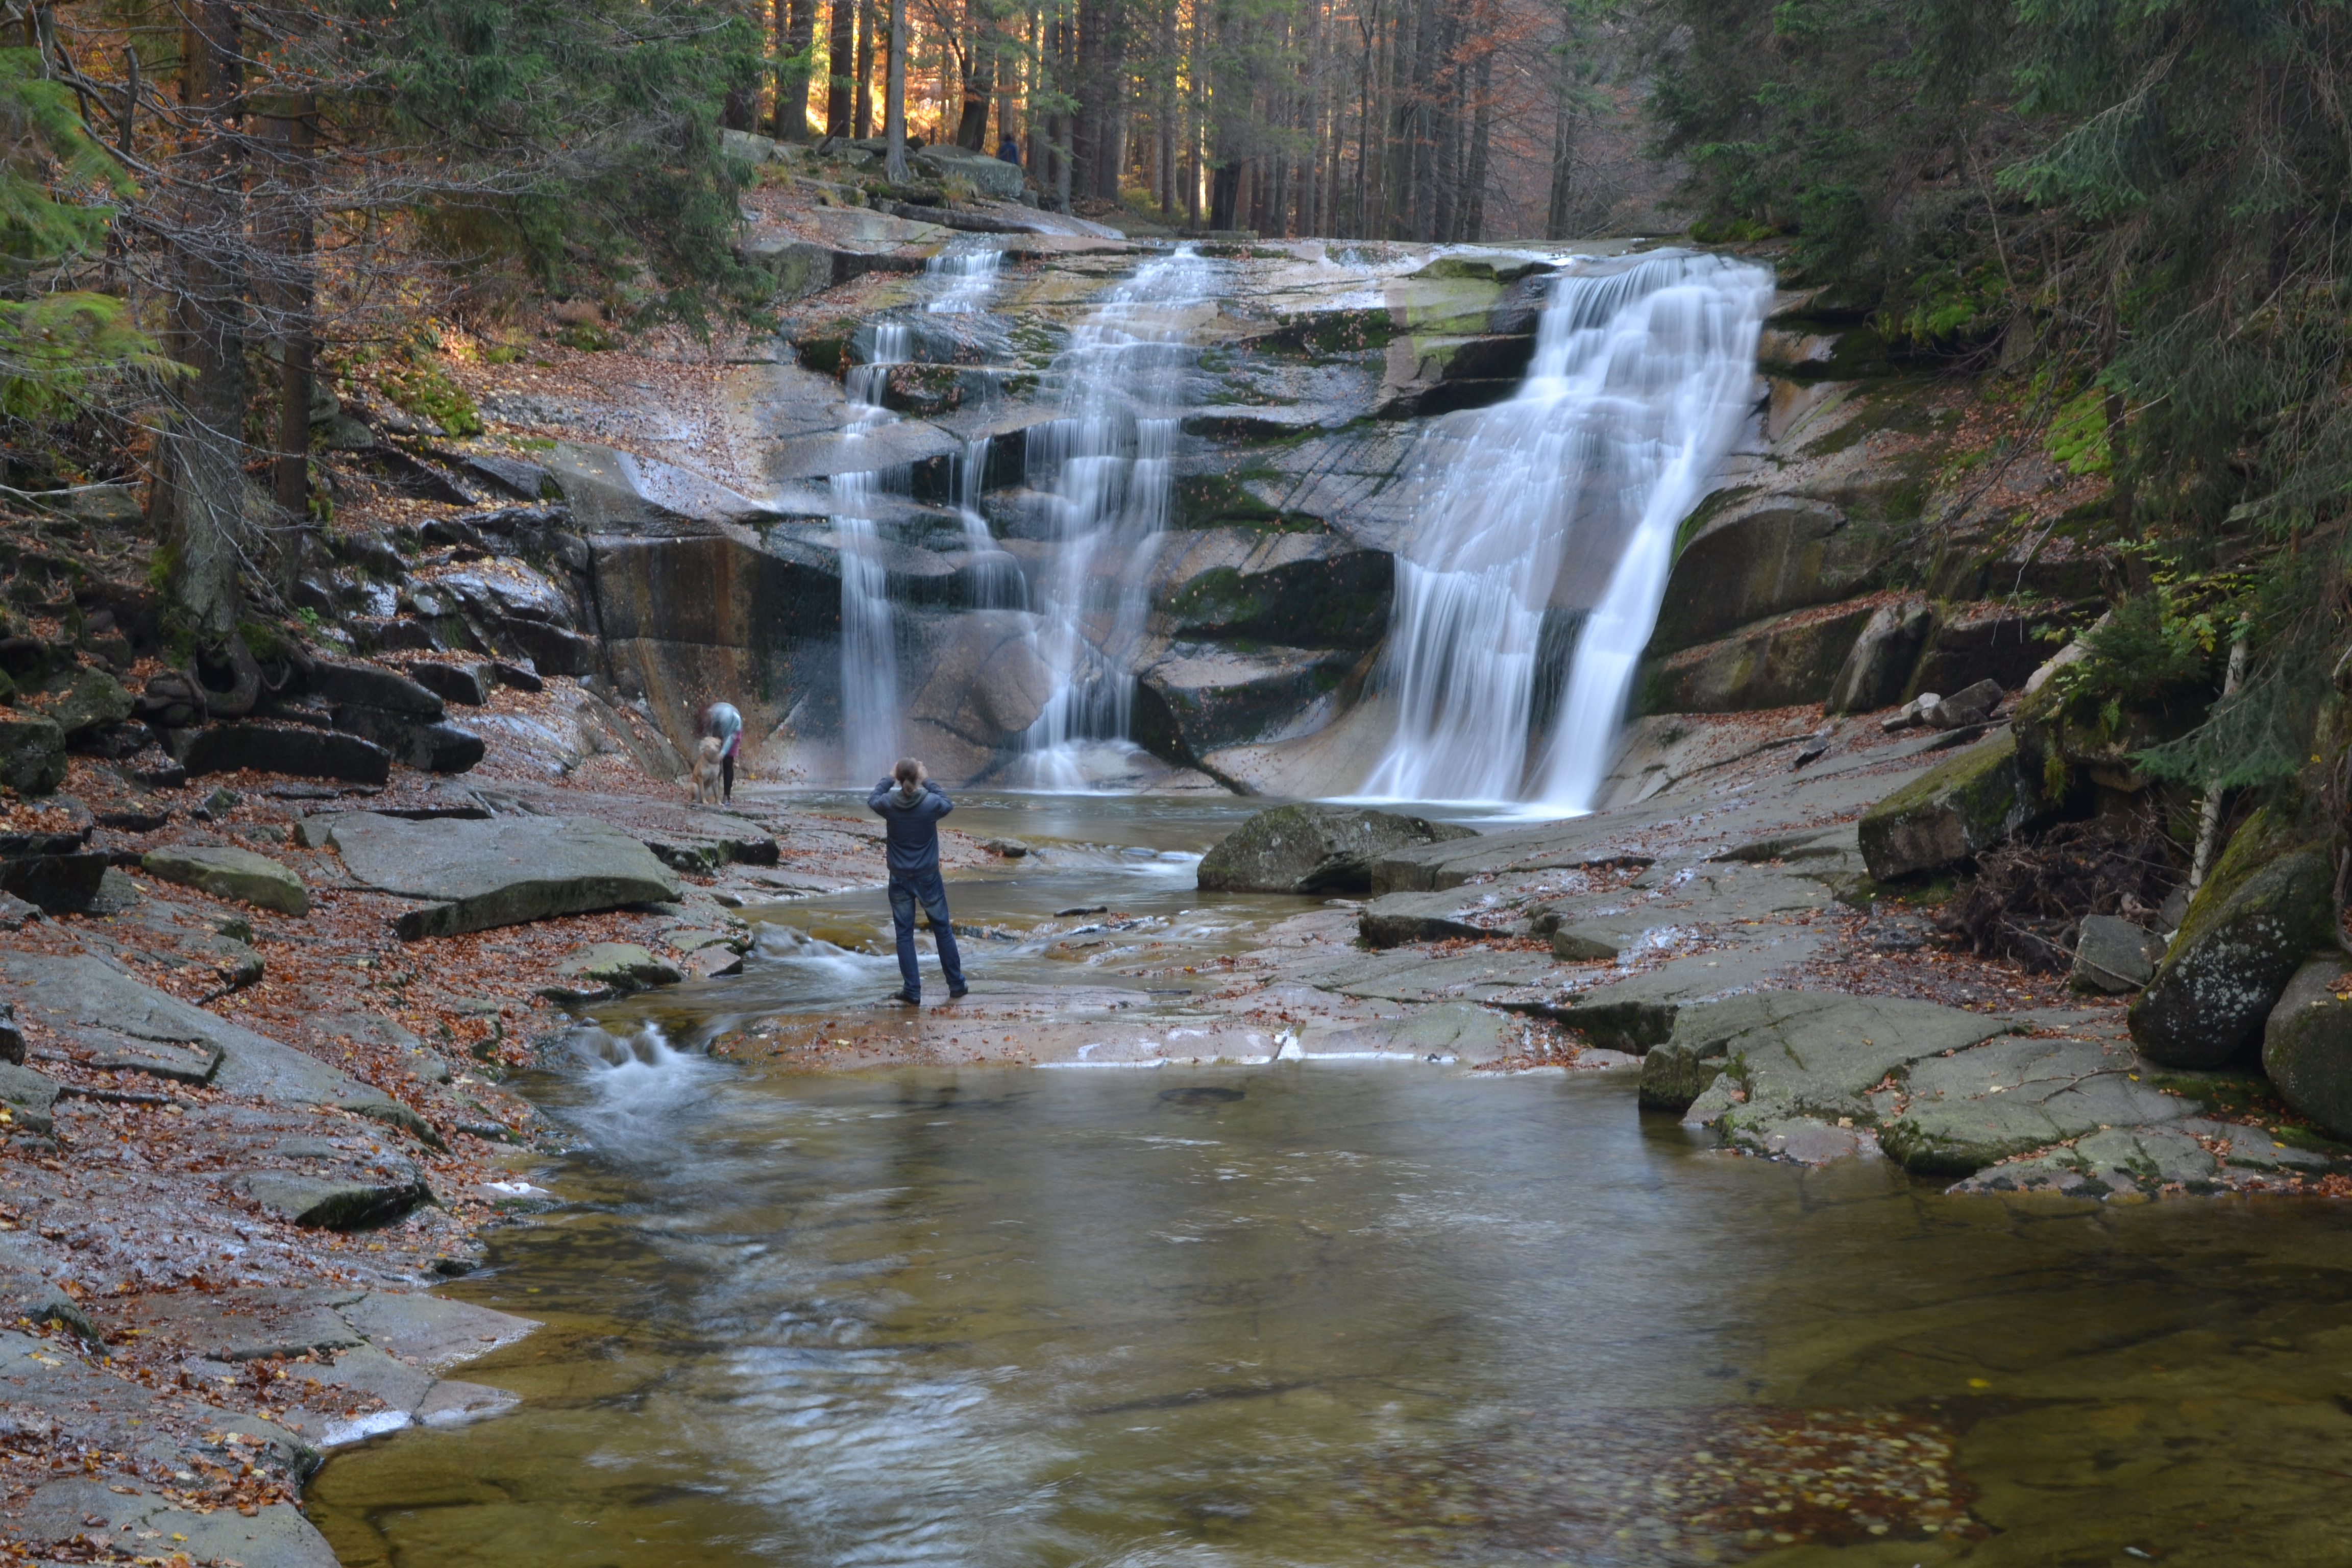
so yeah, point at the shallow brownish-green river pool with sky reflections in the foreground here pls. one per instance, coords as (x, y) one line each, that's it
(1339, 1315)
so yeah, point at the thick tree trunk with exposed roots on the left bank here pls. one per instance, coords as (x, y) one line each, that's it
(203, 500)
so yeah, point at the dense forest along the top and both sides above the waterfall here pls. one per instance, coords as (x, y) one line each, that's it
(2127, 213)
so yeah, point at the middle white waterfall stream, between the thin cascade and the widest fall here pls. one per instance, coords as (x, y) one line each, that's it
(1109, 457)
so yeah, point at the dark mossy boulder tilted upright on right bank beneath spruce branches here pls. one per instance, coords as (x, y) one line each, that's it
(2254, 920)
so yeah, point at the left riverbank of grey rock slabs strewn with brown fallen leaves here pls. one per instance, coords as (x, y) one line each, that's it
(253, 1104)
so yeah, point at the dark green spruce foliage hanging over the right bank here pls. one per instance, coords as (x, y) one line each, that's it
(2149, 196)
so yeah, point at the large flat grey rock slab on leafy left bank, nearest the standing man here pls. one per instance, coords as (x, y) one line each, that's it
(500, 871)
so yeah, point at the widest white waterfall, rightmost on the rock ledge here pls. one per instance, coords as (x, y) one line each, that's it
(1561, 500)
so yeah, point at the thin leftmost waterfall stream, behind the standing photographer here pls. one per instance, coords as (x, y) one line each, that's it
(961, 283)
